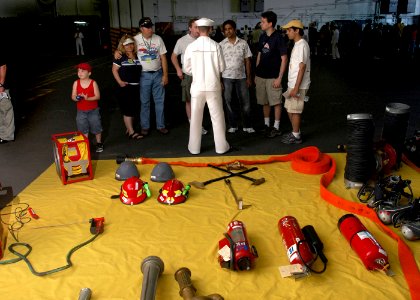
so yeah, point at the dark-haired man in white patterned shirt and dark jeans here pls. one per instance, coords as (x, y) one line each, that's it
(237, 75)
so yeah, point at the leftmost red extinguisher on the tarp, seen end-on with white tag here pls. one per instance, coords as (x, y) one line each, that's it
(234, 250)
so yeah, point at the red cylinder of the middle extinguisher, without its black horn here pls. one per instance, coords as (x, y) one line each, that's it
(297, 250)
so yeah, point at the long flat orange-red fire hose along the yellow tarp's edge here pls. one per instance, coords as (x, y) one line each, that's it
(310, 160)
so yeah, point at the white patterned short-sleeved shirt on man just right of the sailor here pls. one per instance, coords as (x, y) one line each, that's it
(235, 55)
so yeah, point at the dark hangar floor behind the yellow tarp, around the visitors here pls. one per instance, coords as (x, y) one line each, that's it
(338, 88)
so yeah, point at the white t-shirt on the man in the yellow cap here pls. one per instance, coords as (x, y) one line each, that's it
(300, 54)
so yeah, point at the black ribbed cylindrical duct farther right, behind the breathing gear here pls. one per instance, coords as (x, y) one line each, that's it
(395, 127)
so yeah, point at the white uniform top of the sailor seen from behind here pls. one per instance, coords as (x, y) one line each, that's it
(204, 60)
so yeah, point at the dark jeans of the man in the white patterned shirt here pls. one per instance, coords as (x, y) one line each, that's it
(242, 93)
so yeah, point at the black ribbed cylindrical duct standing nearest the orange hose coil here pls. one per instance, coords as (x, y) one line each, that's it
(360, 161)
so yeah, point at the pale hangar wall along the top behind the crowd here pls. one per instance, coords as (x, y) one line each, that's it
(180, 11)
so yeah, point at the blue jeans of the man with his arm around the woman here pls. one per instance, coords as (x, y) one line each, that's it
(151, 84)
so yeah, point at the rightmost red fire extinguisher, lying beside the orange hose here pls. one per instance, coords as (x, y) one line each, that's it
(373, 256)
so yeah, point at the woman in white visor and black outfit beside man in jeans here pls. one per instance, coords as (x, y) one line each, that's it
(127, 71)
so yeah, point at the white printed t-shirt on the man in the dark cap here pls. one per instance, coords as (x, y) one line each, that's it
(149, 52)
